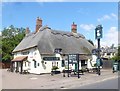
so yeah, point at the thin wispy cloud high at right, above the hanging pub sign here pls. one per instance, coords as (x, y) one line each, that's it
(111, 16)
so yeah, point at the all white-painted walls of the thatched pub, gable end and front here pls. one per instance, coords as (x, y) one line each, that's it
(47, 65)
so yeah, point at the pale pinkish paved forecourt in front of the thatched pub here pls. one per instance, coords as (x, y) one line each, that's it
(46, 81)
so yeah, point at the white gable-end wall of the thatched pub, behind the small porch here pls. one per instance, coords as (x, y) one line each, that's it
(33, 54)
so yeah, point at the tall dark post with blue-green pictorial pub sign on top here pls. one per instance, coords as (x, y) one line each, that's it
(98, 36)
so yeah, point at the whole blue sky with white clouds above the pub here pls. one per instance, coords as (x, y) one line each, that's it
(60, 16)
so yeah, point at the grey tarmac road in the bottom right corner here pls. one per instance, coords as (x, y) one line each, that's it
(107, 84)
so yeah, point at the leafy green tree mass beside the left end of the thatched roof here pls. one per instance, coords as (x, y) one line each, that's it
(11, 37)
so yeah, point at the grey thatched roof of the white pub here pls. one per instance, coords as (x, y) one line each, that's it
(47, 40)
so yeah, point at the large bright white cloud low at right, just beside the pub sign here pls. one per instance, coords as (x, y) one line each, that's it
(111, 37)
